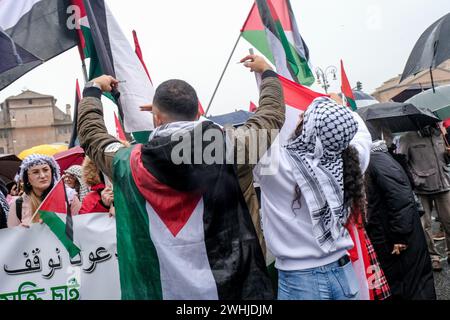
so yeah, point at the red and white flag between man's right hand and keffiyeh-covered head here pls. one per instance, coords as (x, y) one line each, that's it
(297, 99)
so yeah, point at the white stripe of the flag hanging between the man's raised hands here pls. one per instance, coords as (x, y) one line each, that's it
(137, 89)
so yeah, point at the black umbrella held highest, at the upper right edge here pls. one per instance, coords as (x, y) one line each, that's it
(432, 49)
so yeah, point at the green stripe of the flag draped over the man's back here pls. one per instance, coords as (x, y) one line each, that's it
(138, 260)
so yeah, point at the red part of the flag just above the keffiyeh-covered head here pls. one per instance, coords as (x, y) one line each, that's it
(298, 96)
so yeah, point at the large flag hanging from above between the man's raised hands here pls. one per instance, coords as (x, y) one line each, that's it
(111, 53)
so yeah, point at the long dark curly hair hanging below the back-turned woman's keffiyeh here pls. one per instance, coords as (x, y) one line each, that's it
(354, 187)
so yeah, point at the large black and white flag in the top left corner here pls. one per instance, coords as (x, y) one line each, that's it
(32, 32)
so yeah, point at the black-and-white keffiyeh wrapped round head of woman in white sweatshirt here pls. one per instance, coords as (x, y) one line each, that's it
(316, 154)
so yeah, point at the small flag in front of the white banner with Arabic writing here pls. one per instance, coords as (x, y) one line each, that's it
(51, 210)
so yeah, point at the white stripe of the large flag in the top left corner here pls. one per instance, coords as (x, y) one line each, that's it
(12, 10)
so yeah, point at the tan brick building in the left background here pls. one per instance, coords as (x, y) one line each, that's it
(30, 119)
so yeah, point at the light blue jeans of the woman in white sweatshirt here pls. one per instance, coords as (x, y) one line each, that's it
(329, 282)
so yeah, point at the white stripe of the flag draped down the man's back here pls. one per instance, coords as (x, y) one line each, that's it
(183, 260)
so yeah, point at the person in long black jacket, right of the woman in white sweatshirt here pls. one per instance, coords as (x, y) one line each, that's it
(394, 227)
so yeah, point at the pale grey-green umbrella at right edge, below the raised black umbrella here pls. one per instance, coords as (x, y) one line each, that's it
(438, 102)
